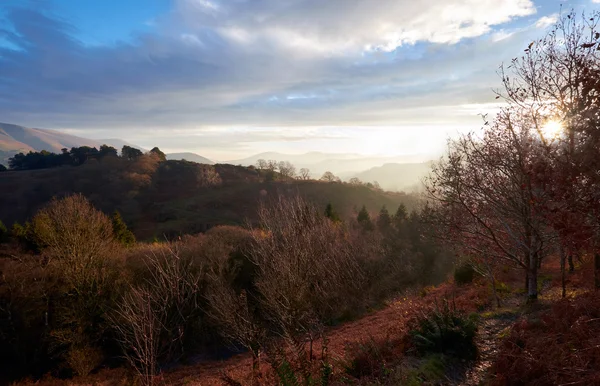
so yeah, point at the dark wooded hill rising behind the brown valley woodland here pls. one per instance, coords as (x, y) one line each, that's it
(158, 198)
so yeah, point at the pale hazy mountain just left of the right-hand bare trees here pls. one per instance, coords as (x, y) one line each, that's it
(397, 176)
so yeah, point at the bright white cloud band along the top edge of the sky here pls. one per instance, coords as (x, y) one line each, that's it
(346, 26)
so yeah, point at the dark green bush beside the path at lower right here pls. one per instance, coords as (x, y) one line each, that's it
(446, 330)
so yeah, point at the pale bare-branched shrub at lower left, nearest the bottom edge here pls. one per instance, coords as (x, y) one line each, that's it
(152, 318)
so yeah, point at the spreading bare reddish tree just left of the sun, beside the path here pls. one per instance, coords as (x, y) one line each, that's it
(487, 203)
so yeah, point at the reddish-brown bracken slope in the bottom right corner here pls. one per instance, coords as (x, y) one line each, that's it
(561, 347)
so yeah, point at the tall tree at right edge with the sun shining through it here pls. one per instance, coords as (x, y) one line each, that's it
(557, 81)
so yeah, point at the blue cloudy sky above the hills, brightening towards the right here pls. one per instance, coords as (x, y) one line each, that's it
(231, 78)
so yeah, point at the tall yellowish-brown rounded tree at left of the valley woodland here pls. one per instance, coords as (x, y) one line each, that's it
(78, 242)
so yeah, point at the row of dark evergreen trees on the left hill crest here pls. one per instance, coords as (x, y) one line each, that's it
(74, 157)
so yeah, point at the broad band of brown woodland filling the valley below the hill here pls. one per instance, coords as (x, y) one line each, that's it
(78, 293)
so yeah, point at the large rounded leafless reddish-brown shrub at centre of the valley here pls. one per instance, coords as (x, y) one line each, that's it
(307, 272)
